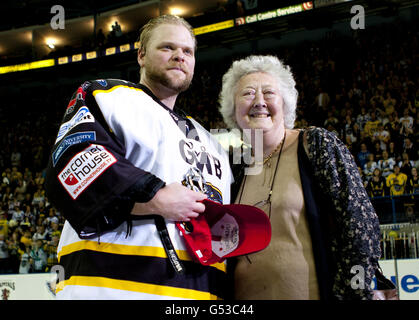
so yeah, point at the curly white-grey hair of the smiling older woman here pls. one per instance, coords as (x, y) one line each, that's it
(258, 63)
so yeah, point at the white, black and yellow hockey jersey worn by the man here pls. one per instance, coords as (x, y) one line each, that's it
(117, 145)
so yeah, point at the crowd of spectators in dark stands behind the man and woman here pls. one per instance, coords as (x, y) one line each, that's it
(364, 88)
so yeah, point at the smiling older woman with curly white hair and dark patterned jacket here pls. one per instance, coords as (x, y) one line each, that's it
(325, 232)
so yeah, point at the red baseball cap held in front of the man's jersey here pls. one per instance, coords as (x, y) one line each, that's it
(224, 231)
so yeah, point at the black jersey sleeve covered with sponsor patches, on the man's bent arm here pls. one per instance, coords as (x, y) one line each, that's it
(88, 178)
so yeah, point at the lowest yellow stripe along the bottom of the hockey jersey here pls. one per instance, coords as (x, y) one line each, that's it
(136, 287)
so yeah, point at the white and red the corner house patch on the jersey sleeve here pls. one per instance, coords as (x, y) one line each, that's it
(84, 168)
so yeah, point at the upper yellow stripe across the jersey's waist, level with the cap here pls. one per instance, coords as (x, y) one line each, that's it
(127, 250)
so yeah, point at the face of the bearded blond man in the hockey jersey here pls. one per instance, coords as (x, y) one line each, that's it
(169, 59)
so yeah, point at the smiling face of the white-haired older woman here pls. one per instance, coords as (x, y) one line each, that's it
(258, 103)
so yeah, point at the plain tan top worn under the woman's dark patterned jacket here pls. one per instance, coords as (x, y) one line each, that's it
(285, 269)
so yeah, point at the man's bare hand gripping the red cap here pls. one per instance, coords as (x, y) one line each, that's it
(174, 202)
